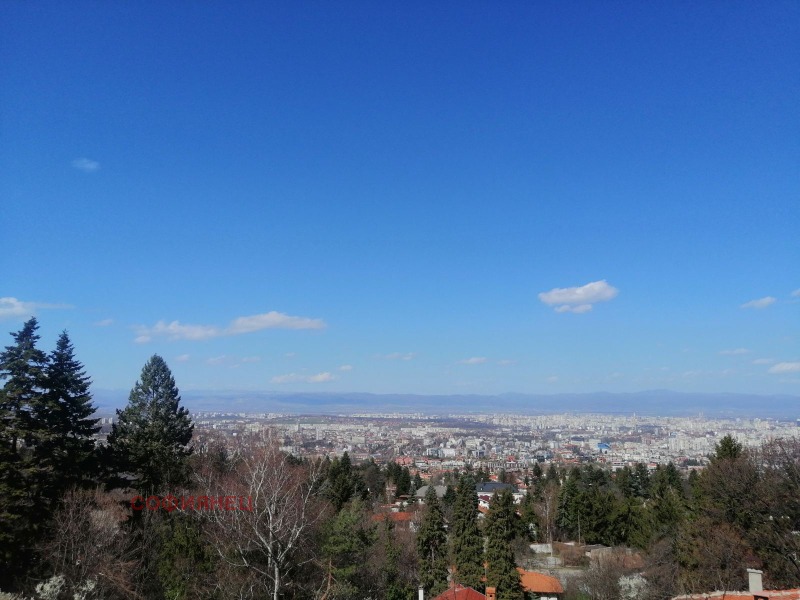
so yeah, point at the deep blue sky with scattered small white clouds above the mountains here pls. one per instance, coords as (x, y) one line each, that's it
(450, 197)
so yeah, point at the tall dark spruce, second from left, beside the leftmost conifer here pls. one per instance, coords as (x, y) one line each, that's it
(67, 444)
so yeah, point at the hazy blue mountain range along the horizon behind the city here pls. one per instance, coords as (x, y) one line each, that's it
(651, 402)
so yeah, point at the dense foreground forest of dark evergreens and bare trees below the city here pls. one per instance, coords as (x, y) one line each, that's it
(81, 520)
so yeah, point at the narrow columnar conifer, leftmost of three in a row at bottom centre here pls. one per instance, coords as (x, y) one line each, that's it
(432, 547)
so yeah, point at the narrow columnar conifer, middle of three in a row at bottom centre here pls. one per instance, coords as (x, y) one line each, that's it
(466, 541)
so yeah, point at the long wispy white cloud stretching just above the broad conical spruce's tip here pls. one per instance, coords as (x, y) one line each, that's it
(175, 330)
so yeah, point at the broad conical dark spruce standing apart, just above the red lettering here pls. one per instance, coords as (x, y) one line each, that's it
(151, 436)
